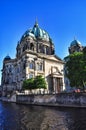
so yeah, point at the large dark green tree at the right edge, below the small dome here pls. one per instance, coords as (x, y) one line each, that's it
(75, 69)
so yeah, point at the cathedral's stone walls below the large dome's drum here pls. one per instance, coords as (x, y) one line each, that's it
(19, 73)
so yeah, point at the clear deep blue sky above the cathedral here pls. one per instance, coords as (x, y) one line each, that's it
(62, 19)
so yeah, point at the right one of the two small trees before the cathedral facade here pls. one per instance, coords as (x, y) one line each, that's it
(40, 82)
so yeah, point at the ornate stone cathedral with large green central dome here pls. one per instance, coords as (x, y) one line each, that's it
(35, 55)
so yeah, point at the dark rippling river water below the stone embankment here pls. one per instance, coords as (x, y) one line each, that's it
(25, 117)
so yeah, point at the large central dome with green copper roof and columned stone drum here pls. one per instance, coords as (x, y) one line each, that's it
(36, 40)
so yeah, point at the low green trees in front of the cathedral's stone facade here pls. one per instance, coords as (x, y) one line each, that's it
(34, 83)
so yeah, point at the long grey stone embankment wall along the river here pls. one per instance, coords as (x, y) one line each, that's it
(61, 99)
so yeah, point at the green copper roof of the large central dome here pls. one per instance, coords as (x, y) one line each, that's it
(37, 32)
